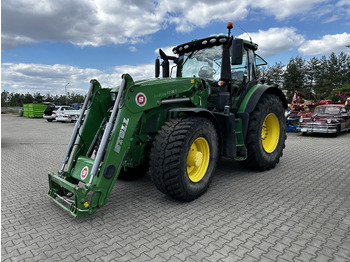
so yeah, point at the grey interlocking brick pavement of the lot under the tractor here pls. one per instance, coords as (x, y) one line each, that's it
(299, 211)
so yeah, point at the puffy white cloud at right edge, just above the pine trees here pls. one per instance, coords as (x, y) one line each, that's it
(326, 45)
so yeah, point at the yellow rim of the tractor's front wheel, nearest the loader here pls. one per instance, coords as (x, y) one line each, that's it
(198, 159)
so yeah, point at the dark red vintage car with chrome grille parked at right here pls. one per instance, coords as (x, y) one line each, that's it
(329, 119)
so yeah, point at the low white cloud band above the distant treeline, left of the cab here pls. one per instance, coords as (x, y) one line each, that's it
(32, 78)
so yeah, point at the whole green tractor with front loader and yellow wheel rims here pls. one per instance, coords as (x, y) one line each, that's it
(175, 127)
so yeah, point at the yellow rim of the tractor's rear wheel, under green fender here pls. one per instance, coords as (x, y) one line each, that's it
(270, 133)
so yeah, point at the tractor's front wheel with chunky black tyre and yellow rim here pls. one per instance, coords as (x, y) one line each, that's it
(183, 157)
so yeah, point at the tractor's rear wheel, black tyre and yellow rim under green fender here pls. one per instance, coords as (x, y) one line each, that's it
(266, 134)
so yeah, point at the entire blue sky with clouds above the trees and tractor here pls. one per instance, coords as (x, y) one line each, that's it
(47, 45)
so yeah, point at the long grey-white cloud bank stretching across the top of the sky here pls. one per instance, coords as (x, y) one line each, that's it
(102, 22)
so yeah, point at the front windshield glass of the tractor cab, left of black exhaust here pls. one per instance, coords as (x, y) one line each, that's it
(204, 63)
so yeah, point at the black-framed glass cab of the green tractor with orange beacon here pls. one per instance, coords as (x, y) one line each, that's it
(226, 64)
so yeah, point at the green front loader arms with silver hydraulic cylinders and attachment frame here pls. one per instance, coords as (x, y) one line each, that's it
(88, 182)
